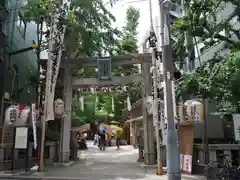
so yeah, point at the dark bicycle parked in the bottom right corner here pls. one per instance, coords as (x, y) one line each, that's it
(218, 171)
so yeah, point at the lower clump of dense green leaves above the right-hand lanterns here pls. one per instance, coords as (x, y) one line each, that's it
(219, 81)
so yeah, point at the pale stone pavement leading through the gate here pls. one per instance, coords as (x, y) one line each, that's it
(111, 164)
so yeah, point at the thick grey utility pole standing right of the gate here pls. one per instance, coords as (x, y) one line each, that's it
(173, 155)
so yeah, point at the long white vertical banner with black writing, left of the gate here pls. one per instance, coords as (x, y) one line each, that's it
(53, 67)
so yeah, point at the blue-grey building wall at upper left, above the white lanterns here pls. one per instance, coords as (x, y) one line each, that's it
(21, 67)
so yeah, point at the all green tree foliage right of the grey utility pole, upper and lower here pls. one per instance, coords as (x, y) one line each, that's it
(203, 22)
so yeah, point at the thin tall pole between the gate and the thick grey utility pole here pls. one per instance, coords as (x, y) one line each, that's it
(153, 45)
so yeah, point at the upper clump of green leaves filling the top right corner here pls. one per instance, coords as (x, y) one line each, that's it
(208, 23)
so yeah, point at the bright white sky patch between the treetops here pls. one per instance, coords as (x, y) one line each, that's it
(119, 11)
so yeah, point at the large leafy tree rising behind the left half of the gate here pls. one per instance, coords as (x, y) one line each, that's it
(88, 33)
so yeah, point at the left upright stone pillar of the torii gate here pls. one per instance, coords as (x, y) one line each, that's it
(66, 121)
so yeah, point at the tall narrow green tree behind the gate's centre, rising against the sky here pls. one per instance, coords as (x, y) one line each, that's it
(128, 45)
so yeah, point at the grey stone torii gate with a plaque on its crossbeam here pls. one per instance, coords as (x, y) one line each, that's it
(105, 78)
